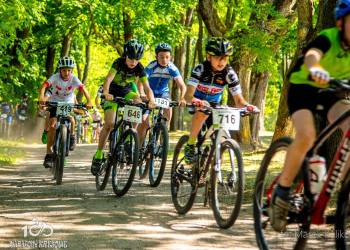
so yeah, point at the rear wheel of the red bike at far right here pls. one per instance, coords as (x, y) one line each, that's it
(261, 201)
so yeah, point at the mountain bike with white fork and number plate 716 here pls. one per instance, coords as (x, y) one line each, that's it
(224, 185)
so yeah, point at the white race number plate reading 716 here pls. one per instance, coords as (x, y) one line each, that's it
(226, 118)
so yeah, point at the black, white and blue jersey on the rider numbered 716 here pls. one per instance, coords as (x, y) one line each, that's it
(210, 84)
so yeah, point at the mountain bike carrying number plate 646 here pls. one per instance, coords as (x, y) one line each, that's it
(123, 154)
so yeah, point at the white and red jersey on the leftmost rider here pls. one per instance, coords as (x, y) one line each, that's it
(63, 91)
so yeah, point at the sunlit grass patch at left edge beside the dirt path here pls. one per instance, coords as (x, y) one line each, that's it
(9, 152)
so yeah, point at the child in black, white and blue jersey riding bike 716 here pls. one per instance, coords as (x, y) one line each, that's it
(206, 85)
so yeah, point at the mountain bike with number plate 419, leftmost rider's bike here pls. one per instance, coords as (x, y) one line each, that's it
(62, 136)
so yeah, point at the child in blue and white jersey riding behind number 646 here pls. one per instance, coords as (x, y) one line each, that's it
(159, 73)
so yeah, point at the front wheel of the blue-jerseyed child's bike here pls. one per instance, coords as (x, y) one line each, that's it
(161, 133)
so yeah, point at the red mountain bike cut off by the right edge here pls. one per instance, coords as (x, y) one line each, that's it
(305, 209)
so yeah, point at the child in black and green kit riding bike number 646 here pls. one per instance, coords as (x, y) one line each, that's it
(120, 80)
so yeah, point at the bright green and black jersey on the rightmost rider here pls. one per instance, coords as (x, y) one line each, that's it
(335, 59)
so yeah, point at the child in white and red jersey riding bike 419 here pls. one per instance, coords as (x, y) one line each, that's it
(63, 85)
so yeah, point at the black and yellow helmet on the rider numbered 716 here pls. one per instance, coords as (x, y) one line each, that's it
(219, 46)
